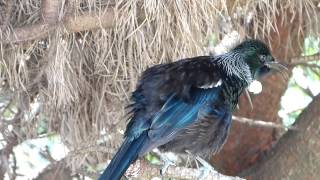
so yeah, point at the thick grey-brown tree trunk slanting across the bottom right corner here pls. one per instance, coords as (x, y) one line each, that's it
(297, 154)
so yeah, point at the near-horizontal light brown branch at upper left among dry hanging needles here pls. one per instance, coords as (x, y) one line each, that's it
(87, 21)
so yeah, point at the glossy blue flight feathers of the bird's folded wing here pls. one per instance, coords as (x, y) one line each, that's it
(177, 115)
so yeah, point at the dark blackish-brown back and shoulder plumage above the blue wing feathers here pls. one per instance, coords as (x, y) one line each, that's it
(179, 77)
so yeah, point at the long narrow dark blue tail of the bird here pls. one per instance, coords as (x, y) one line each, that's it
(126, 155)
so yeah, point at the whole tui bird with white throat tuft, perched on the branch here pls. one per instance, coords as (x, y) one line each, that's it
(187, 105)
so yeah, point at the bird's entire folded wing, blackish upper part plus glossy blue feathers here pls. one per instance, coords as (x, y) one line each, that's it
(170, 95)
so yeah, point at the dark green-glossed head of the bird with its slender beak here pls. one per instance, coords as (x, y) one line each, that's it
(258, 57)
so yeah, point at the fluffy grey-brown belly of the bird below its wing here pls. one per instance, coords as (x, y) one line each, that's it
(206, 135)
